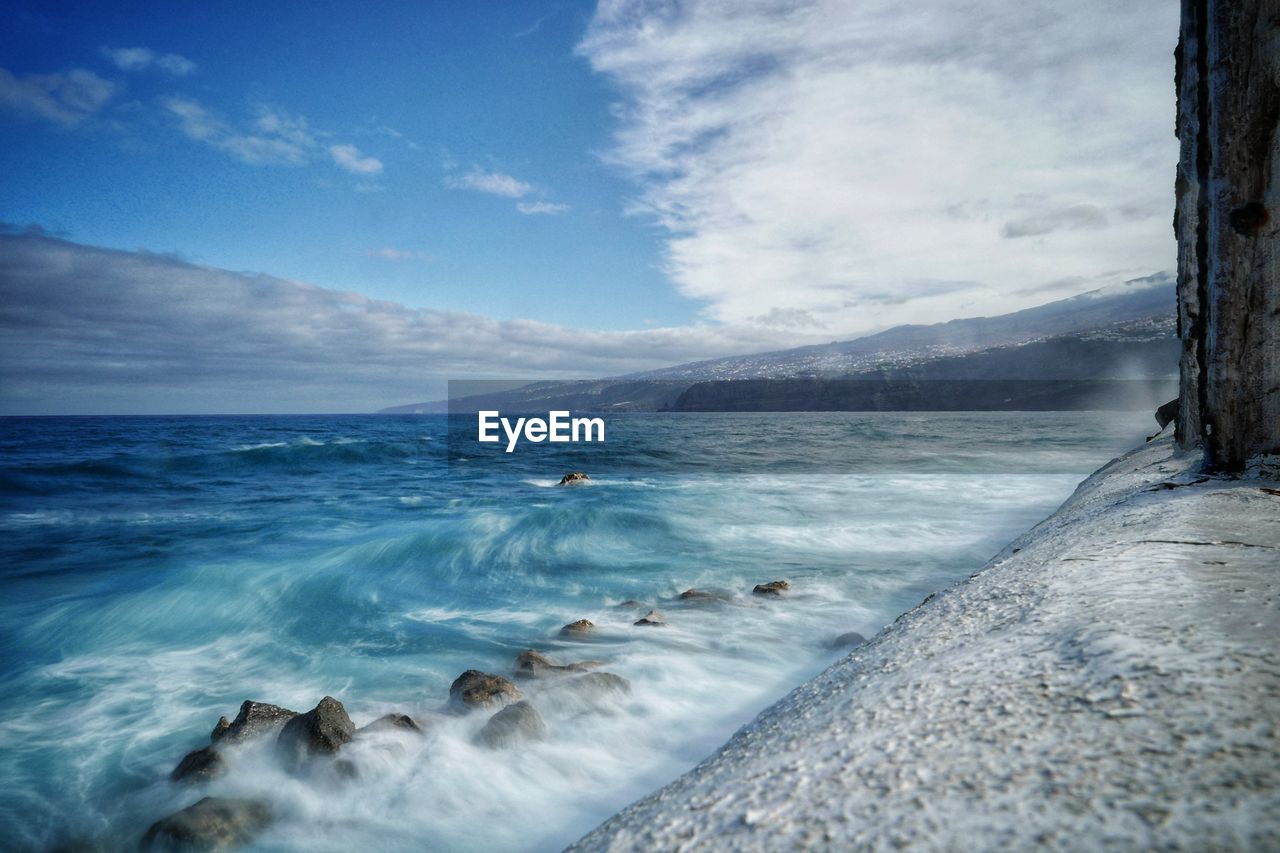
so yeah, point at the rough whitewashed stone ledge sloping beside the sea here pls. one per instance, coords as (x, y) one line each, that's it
(1110, 679)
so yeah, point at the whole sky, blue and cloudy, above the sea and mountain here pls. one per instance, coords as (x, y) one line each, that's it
(340, 207)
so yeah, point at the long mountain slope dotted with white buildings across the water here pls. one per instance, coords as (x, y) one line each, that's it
(1123, 332)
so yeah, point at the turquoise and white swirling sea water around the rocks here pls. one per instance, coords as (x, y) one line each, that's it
(159, 572)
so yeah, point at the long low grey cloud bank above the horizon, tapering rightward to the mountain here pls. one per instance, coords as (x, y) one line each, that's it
(86, 330)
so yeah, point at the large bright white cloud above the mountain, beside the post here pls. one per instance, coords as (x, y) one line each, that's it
(826, 157)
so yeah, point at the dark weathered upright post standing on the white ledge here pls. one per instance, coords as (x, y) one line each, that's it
(1228, 226)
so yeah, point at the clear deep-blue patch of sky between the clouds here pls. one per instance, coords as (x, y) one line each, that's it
(432, 92)
